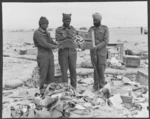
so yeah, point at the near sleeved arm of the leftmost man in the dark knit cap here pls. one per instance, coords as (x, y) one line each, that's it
(41, 41)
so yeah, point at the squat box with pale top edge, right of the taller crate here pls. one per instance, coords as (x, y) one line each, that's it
(132, 61)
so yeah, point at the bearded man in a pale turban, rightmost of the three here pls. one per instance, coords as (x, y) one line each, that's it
(99, 52)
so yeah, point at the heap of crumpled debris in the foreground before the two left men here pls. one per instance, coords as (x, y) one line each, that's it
(58, 100)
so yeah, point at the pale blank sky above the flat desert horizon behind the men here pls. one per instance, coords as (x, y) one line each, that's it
(17, 15)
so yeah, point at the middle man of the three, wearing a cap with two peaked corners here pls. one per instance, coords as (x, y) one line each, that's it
(67, 49)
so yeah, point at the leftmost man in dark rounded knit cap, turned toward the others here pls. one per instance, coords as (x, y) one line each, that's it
(45, 57)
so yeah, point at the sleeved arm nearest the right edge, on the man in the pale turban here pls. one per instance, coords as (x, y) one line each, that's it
(105, 41)
